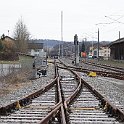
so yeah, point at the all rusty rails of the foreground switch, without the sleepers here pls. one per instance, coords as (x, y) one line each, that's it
(62, 105)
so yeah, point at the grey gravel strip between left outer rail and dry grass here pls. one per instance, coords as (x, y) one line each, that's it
(28, 88)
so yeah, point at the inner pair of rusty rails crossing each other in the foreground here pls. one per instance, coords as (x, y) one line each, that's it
(62, 104)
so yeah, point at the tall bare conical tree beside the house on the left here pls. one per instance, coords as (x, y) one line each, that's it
(21, 35)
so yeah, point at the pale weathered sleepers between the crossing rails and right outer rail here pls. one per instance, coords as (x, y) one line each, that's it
(86, 109)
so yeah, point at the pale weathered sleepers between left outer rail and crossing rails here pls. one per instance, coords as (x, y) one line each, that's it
(33, 112)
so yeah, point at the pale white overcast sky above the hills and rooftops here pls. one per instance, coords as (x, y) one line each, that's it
(81, 17)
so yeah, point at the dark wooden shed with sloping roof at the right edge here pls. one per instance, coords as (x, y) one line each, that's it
(117, 49)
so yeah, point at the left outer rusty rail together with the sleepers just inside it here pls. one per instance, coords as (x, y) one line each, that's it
(31, 109)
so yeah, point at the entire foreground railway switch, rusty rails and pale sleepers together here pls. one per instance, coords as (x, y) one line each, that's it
(67, 100)
